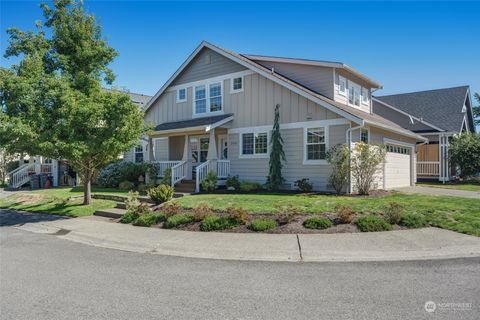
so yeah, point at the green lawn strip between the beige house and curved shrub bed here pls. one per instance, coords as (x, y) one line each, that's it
(453, 213)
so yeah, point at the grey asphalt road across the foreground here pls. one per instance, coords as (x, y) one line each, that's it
(44, 277)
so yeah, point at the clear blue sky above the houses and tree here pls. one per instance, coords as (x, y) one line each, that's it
(406, 46)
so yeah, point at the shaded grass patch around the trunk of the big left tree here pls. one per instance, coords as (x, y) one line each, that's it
(54, 201)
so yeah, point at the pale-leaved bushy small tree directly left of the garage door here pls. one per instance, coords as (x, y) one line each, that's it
(364, 161)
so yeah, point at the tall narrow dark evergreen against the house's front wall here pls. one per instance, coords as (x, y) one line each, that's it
(277, 155)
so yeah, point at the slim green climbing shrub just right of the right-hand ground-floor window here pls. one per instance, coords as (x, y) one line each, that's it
(338, 156)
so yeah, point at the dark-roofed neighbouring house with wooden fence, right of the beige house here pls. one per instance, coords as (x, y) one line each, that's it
(436, 115)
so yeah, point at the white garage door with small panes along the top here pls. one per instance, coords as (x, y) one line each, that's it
(397, 167)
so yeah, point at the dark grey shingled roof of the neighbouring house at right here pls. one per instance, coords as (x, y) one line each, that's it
(440, 107)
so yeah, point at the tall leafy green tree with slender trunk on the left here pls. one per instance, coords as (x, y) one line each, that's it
(53, 102)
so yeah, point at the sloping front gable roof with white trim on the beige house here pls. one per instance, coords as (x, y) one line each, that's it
(357, 116)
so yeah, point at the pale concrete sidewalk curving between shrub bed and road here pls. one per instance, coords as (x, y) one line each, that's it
(422, 244)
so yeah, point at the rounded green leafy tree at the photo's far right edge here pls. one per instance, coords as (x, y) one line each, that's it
(464, 151)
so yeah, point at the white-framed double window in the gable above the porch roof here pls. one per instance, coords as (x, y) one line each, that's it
(208, 98)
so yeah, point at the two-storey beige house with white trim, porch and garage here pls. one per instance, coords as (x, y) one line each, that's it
(216, 113)
